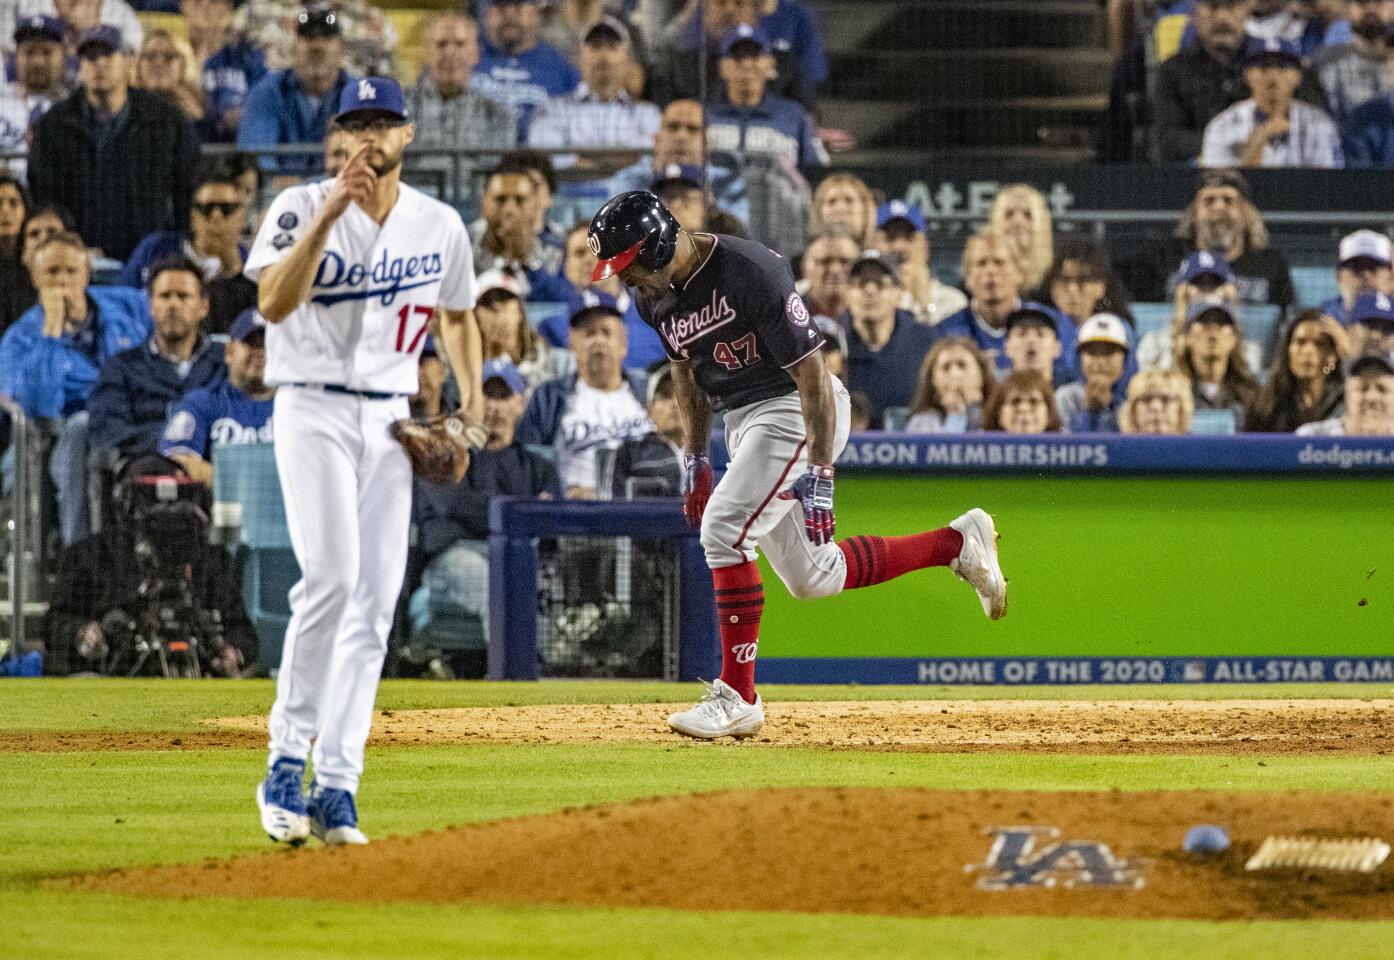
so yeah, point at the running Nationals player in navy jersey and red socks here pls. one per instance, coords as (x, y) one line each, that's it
(741, 342)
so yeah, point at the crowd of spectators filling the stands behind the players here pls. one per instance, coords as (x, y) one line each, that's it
(569, 102)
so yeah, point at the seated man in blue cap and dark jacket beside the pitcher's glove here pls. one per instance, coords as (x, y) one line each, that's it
(450, 558)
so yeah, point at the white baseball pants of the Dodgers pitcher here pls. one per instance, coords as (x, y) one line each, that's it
(348, 490)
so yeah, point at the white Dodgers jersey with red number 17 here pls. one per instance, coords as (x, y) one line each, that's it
(374, 293)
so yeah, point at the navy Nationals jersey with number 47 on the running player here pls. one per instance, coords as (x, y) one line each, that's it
(740, 321)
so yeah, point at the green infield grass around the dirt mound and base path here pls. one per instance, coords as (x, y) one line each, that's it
(79, 812)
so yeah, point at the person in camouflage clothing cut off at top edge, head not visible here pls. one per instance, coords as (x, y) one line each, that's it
(369, 38)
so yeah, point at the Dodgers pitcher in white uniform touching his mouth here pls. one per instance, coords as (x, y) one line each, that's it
(351, 274)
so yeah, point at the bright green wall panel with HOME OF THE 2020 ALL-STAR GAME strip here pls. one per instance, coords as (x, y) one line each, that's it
(1113, 580)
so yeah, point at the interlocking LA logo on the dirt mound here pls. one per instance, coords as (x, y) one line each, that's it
(1016, 863)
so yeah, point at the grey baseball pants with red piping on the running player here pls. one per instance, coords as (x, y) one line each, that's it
(769, 449)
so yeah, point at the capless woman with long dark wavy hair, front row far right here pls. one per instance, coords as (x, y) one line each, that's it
(1304, 384)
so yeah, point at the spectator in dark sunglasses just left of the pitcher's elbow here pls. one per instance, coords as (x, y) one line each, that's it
(214, 242)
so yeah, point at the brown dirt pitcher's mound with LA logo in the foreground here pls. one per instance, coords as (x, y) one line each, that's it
(844, 851)
